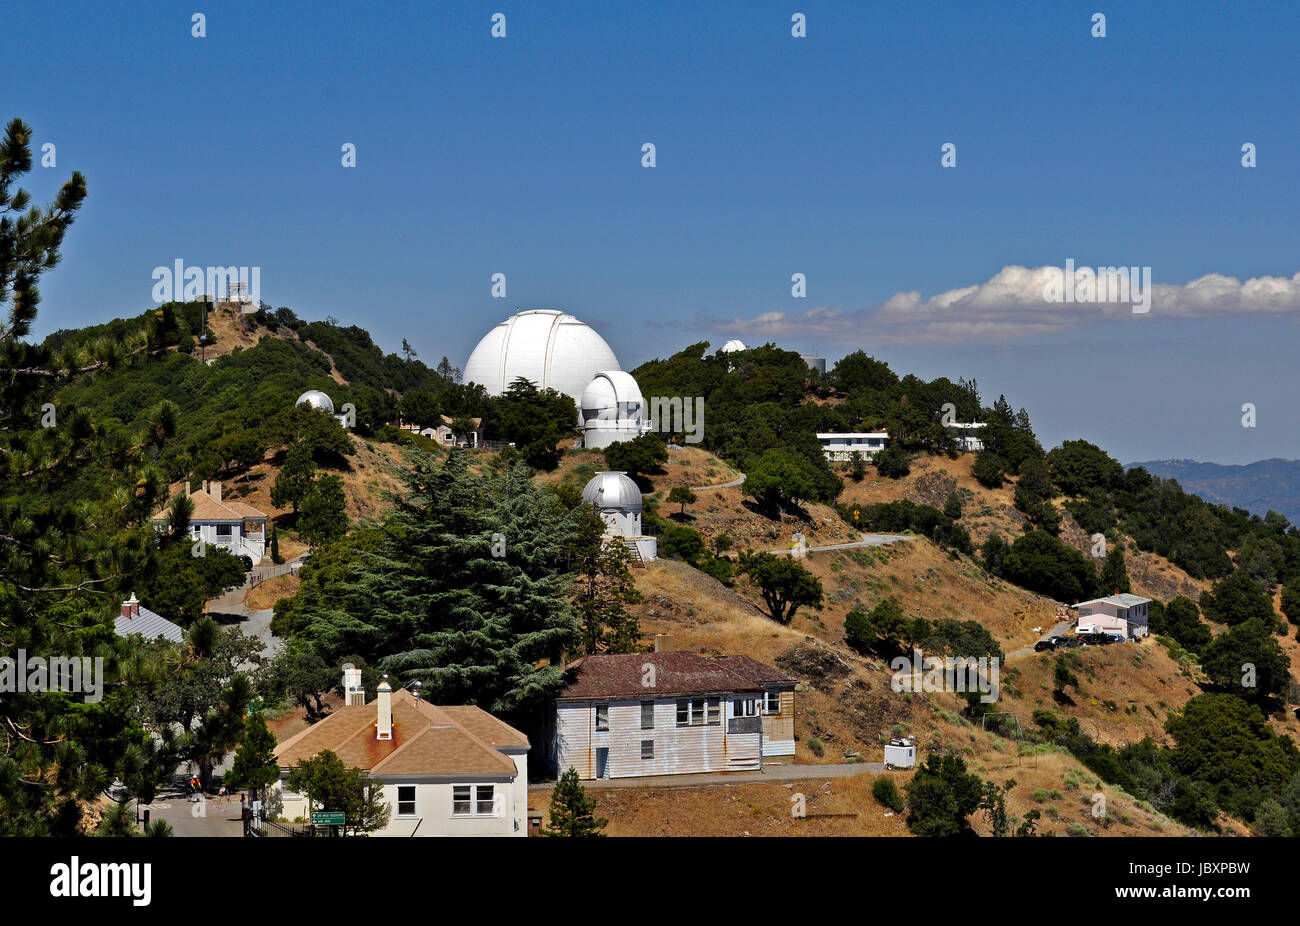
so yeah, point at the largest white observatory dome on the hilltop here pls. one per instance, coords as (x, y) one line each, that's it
(547, 347)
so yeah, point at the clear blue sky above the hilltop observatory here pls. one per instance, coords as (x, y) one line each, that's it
(774, 155)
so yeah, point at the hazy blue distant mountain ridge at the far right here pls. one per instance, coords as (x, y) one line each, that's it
(1255, 487)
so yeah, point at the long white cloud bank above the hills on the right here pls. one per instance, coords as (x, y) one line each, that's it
(1012, 305)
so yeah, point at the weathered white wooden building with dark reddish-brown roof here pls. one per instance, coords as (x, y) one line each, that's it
(671, 713)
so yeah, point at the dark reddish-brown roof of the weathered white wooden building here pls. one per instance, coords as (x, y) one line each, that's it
(677, 673)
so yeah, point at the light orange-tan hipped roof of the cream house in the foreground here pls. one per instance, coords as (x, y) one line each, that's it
(427, 741)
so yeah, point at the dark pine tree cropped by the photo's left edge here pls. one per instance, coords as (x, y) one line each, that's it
(75, 499)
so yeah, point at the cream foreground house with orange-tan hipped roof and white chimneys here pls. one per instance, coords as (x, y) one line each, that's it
(447, 771)
